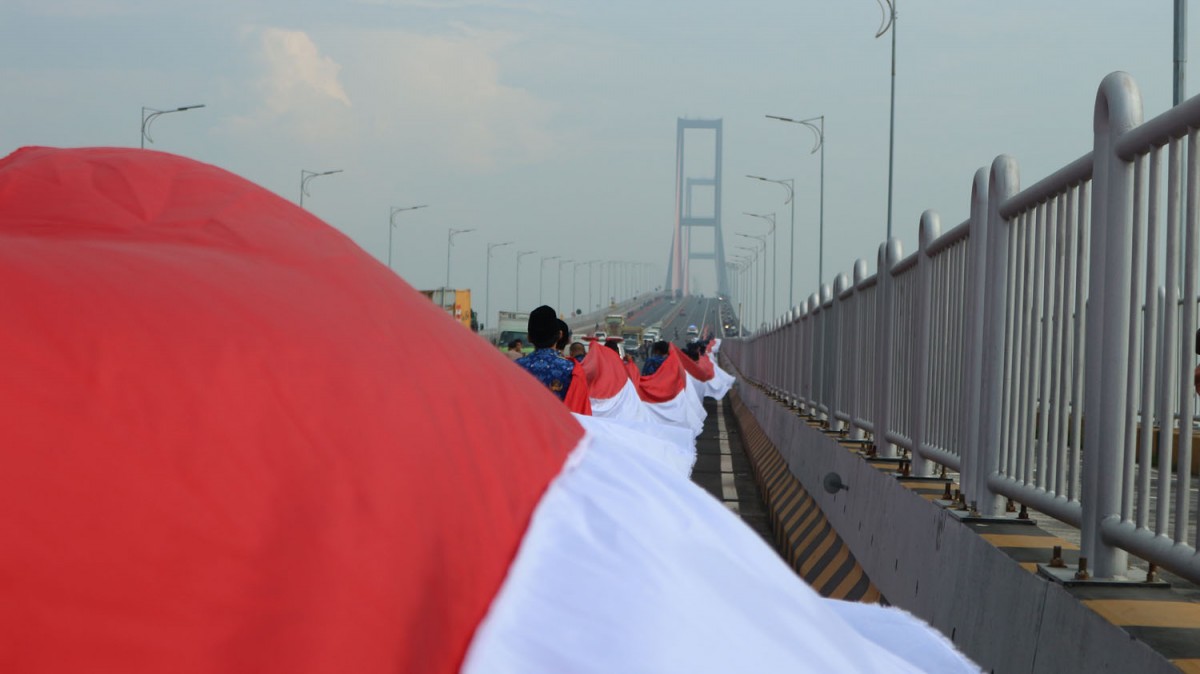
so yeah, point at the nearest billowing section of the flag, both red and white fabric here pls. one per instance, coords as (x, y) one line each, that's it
(220, 459)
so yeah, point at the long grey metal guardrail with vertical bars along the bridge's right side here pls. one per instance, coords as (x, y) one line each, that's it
(991, 347)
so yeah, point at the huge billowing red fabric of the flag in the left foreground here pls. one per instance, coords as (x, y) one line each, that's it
(221, 452)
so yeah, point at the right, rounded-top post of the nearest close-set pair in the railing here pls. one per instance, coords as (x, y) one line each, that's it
(1003, 184)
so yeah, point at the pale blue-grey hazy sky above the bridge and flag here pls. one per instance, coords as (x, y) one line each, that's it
(551, 124)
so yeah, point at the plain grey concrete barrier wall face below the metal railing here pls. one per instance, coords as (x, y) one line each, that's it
(928, 563)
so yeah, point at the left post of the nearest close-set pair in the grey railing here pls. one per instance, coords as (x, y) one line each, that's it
(974, 477)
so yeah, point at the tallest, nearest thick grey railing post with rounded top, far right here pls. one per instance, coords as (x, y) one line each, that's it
(1107, 352)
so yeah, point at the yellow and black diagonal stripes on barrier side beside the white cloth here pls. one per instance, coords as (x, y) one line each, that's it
(803, 535)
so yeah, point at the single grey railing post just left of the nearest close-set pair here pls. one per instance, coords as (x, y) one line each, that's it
(919, 394)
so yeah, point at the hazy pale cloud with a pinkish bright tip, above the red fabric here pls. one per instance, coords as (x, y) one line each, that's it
(437, 100)
